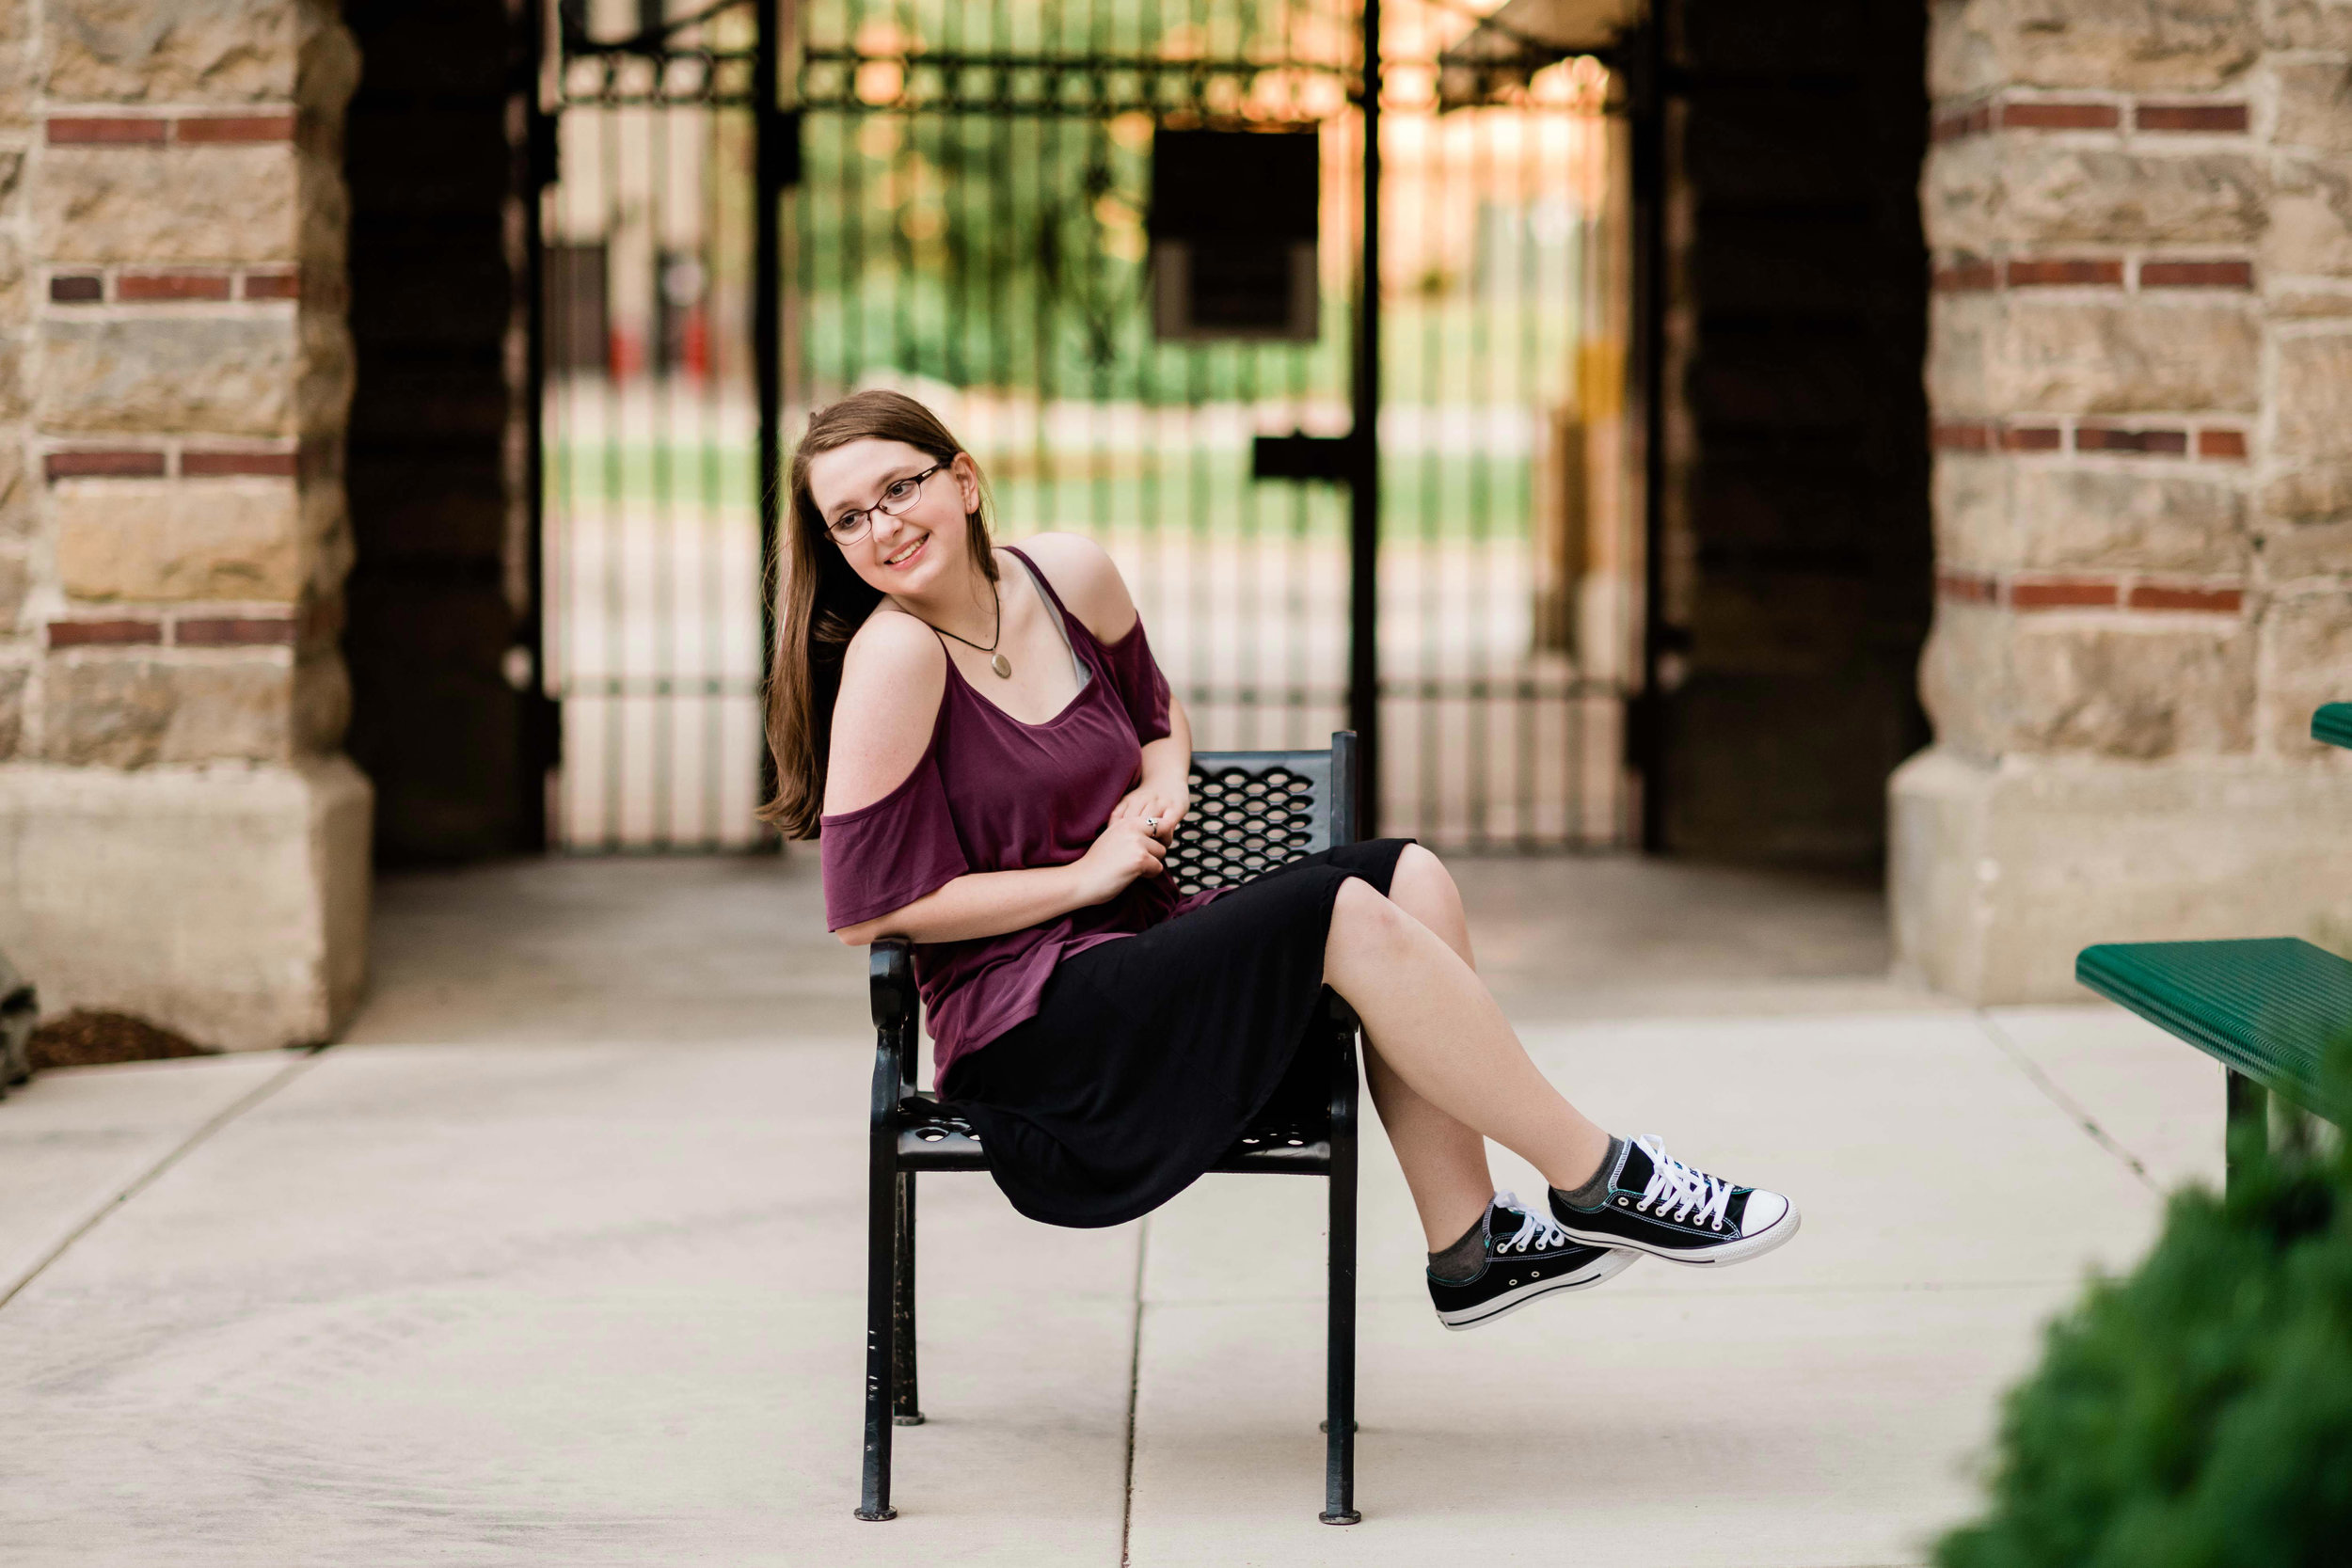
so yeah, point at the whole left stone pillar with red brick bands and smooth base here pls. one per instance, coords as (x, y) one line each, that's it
(180, 836)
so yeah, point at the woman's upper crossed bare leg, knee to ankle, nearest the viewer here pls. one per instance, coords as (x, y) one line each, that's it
(1445, 1038)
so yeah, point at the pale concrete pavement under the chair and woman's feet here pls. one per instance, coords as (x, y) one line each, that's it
(561, 1264)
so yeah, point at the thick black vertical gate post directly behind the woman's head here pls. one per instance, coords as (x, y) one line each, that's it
(768, 328)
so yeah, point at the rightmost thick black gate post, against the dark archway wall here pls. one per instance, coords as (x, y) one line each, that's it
(1650, 177)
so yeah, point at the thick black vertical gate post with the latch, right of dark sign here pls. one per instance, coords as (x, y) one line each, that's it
(1365, 504)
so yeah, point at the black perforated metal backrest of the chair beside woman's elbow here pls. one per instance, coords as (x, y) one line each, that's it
(1262, 810)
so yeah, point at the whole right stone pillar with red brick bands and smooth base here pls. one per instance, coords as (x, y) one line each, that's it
(2141, 382)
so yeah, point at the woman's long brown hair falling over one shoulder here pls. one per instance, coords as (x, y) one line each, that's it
(827, 601)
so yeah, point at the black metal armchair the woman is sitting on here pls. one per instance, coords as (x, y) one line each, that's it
(1250, 815)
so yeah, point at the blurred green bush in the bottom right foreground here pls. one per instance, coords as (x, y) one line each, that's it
(2196, 1414)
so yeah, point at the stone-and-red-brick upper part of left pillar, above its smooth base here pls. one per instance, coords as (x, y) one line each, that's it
(178, 375)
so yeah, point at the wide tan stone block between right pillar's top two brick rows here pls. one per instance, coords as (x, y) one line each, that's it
(2029, 189)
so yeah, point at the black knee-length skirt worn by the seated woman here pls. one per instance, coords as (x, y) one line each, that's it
(1149, 1057)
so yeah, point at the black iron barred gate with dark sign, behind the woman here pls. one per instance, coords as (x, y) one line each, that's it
(1013, 213)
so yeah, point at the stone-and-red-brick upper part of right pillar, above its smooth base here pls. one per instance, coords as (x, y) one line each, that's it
(2141, 375)
